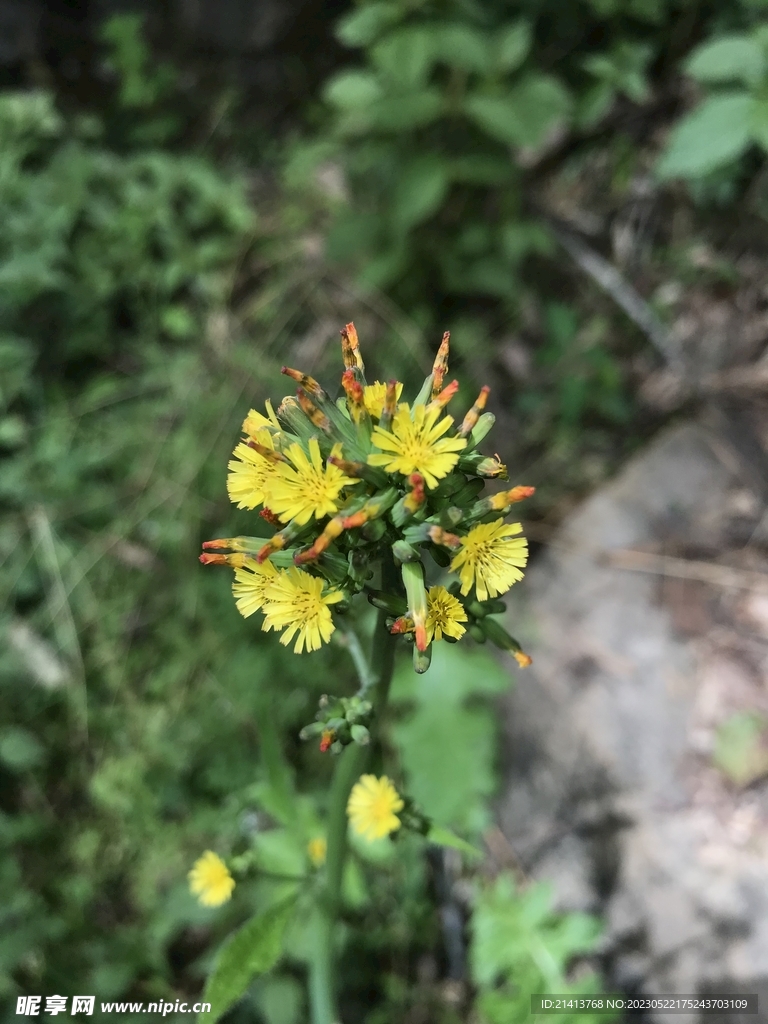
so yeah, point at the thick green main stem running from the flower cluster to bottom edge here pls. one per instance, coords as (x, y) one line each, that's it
(350, 769)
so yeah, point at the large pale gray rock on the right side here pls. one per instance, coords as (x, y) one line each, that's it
(611, 789)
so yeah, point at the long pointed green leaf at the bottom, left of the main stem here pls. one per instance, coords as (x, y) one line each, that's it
(252, 951)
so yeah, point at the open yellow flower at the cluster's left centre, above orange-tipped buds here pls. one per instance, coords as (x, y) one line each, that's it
(304, 488)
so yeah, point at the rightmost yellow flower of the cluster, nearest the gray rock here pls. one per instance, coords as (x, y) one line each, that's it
(491, 559)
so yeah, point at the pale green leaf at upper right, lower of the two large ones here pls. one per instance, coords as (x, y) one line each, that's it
(715, 134)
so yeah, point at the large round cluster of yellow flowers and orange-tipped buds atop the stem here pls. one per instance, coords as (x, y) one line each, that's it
(347, 484)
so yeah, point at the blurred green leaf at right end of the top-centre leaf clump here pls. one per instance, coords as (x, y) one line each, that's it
(526, 116)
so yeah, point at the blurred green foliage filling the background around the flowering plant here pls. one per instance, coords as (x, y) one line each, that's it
(165, 246)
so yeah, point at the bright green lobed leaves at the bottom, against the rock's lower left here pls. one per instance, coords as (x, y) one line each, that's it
(521, 948)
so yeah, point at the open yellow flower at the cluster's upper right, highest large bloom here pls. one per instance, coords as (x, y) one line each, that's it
(417, 445)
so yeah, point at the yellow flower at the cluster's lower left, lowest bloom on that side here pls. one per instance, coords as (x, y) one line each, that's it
(295, 603)
